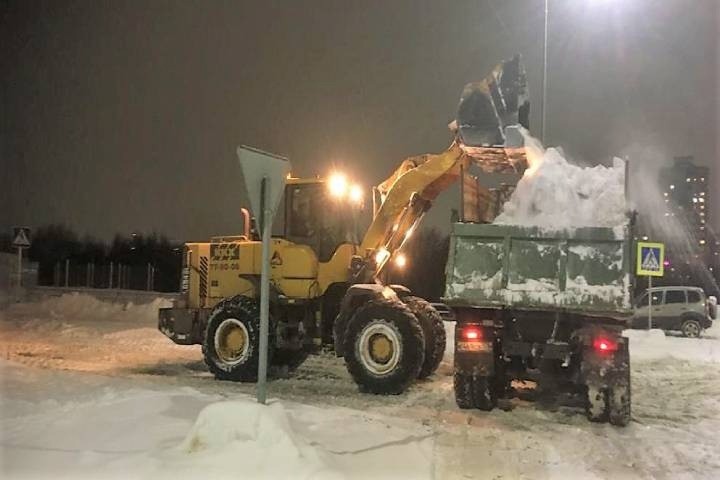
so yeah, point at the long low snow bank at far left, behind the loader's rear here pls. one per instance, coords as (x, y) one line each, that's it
(80, 306)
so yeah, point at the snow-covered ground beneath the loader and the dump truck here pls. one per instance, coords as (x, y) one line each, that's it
(92, 390)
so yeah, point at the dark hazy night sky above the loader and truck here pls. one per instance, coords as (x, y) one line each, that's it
(124, 116)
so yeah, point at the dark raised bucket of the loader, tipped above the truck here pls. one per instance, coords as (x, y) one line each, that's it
(490, 111)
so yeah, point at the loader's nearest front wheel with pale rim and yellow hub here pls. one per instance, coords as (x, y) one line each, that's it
(384, 347)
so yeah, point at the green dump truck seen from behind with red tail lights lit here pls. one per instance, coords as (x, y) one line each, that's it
(542, 305)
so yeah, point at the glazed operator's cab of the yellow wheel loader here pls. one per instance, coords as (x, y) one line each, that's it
(313, 216)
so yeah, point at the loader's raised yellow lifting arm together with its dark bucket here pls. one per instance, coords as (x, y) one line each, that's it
(487, 134)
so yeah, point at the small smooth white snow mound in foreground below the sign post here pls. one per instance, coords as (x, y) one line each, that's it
(249, 440)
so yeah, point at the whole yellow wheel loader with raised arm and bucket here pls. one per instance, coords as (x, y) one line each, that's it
(326, 284)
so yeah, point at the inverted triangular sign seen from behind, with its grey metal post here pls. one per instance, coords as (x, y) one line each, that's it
(264, 175)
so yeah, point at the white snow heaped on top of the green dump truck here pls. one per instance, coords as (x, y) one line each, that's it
(556, 194)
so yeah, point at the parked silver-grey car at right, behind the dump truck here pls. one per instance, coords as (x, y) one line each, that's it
(683, 309)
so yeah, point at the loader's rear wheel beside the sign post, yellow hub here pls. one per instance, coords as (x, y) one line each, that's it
(231, 348)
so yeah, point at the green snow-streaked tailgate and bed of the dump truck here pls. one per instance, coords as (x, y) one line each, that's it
(587, 270)
